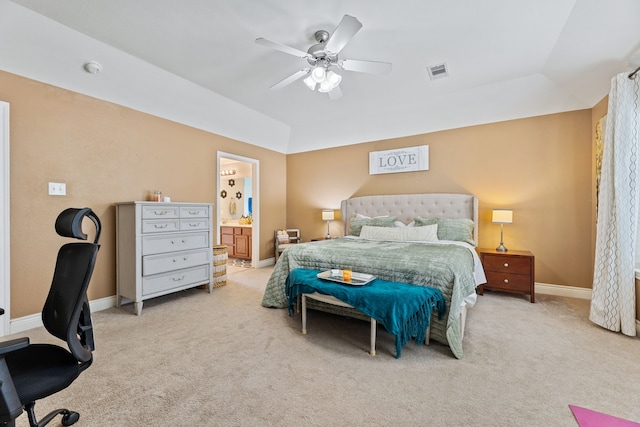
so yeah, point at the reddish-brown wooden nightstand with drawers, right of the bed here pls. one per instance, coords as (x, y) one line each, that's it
(511, 271)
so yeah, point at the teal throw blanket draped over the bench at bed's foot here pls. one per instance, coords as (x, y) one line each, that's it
(404, 310)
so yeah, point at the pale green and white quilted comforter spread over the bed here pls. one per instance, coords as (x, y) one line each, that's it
(447, 266)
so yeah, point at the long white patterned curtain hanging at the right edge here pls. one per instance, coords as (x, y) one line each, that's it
(617, 251)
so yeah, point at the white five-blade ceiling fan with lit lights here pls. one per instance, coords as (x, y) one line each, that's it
(324, 61)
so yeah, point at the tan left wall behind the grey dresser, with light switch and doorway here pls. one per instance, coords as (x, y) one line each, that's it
(106, 153)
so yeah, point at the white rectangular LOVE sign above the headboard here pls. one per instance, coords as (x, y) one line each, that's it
(408, 159)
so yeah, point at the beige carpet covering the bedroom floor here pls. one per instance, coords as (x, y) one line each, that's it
(223, 360)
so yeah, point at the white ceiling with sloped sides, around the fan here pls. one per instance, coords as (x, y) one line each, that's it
(197, 62)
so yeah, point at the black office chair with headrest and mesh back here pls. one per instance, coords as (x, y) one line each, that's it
(29, 372)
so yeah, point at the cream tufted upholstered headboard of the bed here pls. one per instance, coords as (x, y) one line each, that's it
(405, 207)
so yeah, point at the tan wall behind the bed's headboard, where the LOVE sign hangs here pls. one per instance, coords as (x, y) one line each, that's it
(540, 167)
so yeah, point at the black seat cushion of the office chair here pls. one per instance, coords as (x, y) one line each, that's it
(40, 370)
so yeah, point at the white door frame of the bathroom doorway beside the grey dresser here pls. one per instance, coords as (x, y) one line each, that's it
(255, 193)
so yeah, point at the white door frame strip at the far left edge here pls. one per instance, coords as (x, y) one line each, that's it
(5, 230)
